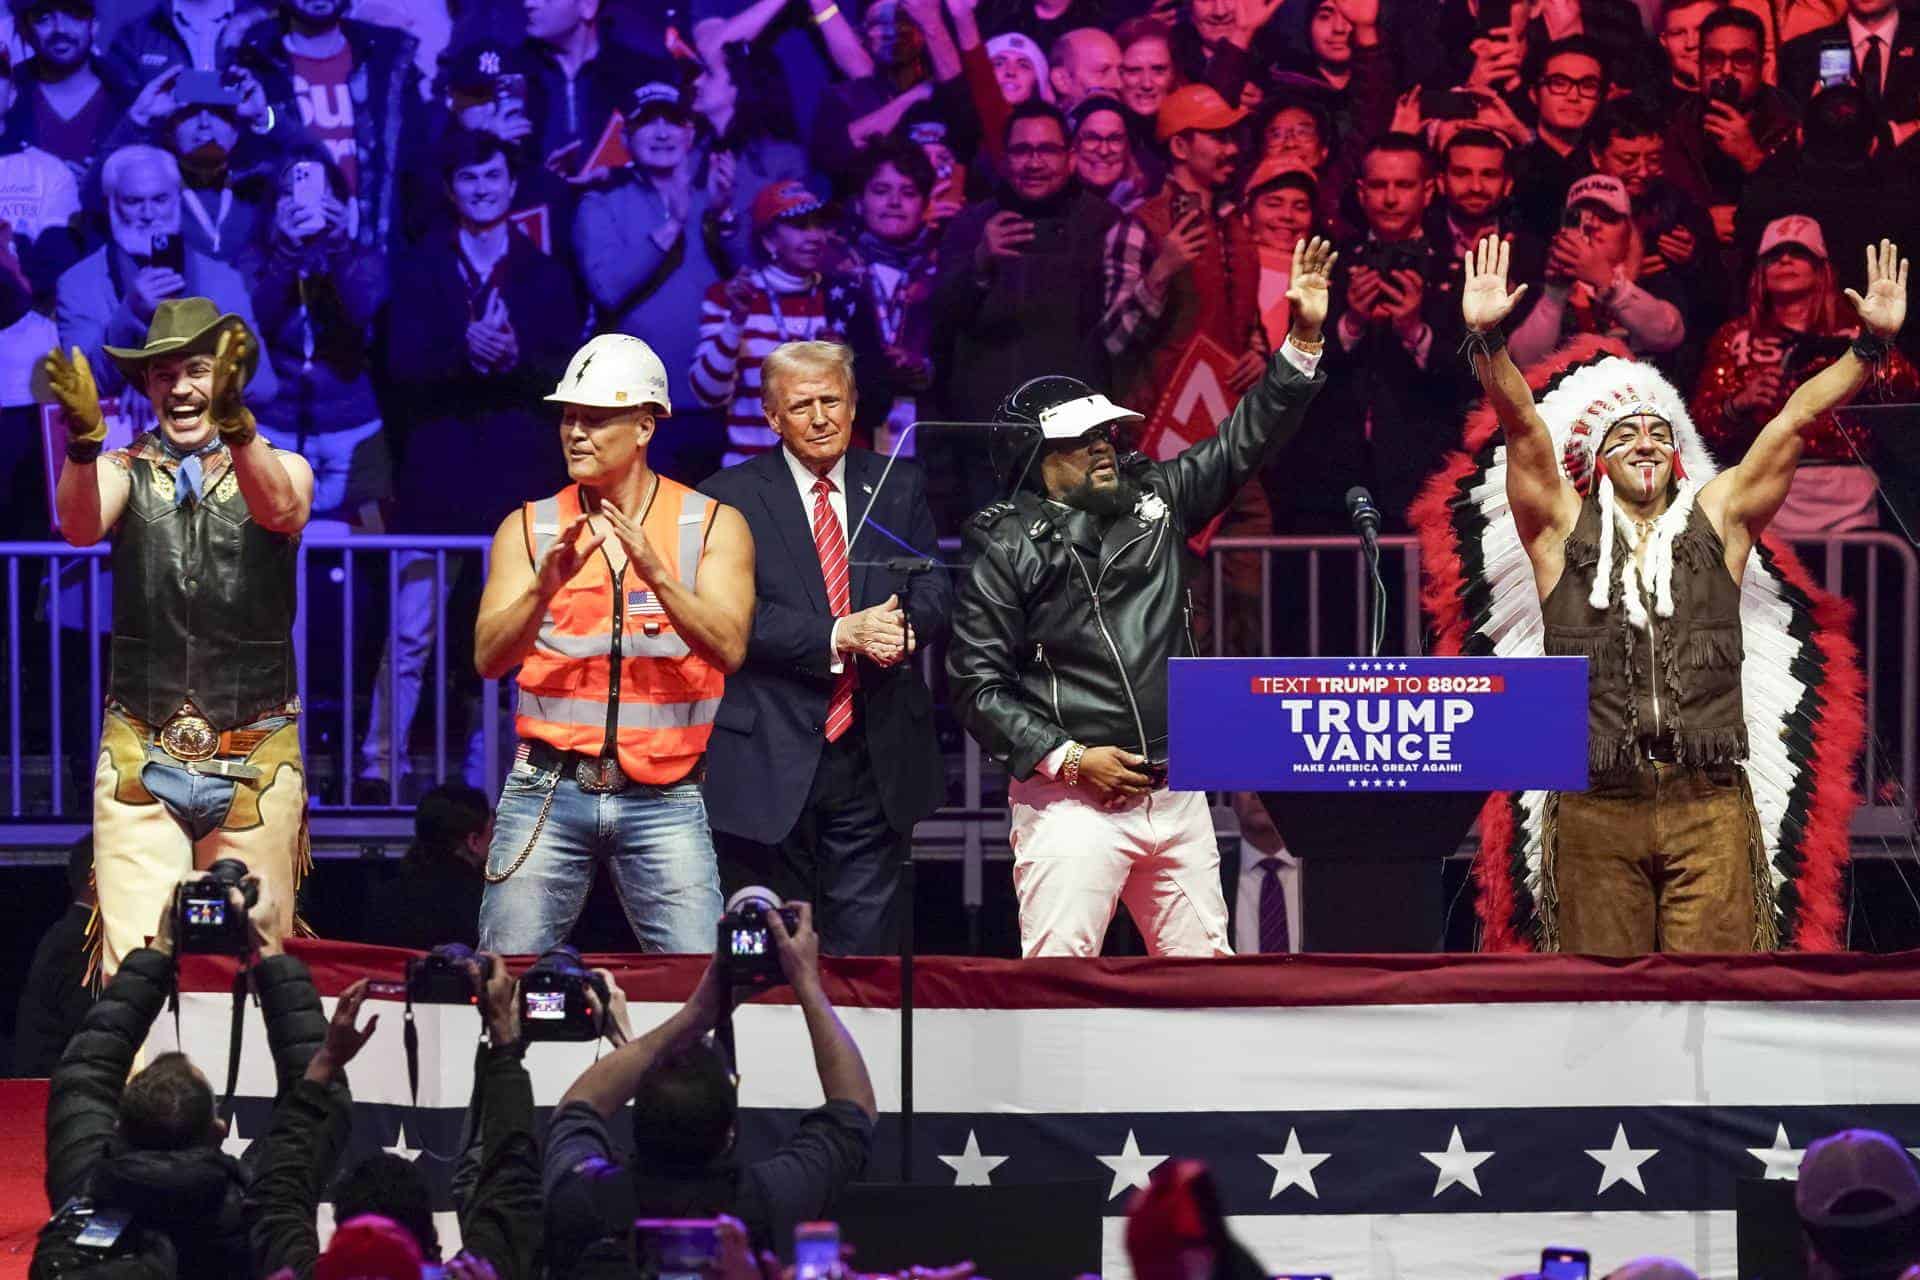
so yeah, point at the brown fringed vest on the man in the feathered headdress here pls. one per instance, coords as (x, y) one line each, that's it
(1681, 682)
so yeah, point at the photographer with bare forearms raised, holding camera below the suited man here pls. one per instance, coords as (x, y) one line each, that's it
(684, 1124)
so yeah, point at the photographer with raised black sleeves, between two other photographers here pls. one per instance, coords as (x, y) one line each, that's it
(500, 1220)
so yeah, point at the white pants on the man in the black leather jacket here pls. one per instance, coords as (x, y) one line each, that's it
(1074, 863)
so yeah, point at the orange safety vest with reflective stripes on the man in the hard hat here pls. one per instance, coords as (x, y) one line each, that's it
(660, 696)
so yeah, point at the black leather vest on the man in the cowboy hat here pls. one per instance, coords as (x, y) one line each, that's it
(203, 600)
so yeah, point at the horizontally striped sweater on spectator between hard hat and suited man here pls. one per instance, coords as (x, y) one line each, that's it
(727, 366)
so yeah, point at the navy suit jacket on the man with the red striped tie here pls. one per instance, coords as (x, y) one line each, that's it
(769, 728)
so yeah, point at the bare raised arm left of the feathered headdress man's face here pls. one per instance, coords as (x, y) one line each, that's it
(1539, 494)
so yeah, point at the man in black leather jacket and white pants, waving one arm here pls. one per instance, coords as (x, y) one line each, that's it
(1063, 634)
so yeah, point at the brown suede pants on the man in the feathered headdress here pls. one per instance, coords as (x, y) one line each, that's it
(1662, 861)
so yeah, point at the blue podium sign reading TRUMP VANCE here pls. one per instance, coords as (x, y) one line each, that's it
(1378, 724)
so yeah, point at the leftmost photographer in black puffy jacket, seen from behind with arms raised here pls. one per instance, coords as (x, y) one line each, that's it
(151, 1147)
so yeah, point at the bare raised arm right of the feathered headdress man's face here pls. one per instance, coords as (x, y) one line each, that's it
(1750, 494)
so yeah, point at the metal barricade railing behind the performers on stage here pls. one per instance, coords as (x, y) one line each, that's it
(55, 636)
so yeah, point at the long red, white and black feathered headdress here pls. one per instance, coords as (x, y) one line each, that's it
(1800, 680)
